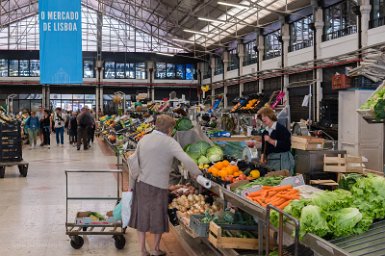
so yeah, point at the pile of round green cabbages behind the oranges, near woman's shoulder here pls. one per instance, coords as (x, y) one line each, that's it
(203, 153)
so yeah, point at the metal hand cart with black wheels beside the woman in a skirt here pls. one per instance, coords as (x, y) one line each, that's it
(77, 229)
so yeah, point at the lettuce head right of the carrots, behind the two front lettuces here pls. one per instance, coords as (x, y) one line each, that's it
(333, 200)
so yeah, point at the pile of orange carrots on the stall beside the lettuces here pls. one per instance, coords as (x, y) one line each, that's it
(279, 197)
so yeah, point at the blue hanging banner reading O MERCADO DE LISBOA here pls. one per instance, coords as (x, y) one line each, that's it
(60, 26)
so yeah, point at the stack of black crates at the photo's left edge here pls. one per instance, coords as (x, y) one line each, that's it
(10, 142)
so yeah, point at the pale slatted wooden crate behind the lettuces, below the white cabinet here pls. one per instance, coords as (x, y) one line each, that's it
(342, 164)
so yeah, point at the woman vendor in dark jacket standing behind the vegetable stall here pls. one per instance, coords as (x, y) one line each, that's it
(276, 142)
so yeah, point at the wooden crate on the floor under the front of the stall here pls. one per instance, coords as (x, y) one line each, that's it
(219, 241)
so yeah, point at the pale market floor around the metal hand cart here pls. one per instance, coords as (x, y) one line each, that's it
(32, 209)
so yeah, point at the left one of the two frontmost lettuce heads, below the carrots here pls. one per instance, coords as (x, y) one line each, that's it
(313, 221)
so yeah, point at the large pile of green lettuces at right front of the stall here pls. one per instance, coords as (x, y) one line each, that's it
(339, 213)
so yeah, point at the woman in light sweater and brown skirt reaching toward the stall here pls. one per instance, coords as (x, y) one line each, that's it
(156, 152)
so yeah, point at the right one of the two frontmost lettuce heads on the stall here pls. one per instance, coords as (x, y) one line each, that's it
(343, 221)
